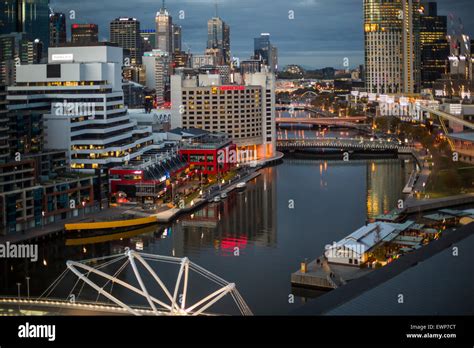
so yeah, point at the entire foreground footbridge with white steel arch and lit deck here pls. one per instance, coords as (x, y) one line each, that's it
(106, 280)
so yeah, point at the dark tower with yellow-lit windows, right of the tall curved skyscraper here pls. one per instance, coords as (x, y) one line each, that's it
(434, 44)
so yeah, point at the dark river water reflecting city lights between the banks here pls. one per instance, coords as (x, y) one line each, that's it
(254, 238)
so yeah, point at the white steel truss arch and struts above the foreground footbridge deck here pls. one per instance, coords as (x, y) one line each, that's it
(177, 298)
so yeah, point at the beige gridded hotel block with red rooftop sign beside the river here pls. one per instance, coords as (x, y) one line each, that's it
(246, 112)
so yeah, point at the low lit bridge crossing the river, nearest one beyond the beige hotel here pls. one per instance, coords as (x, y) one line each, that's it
(336, 143)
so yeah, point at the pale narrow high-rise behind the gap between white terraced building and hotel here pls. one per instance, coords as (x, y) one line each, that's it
(157, 66)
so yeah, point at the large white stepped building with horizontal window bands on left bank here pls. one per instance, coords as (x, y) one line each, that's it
(81, 100)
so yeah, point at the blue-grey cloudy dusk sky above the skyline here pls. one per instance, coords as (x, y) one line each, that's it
(322, 33)
